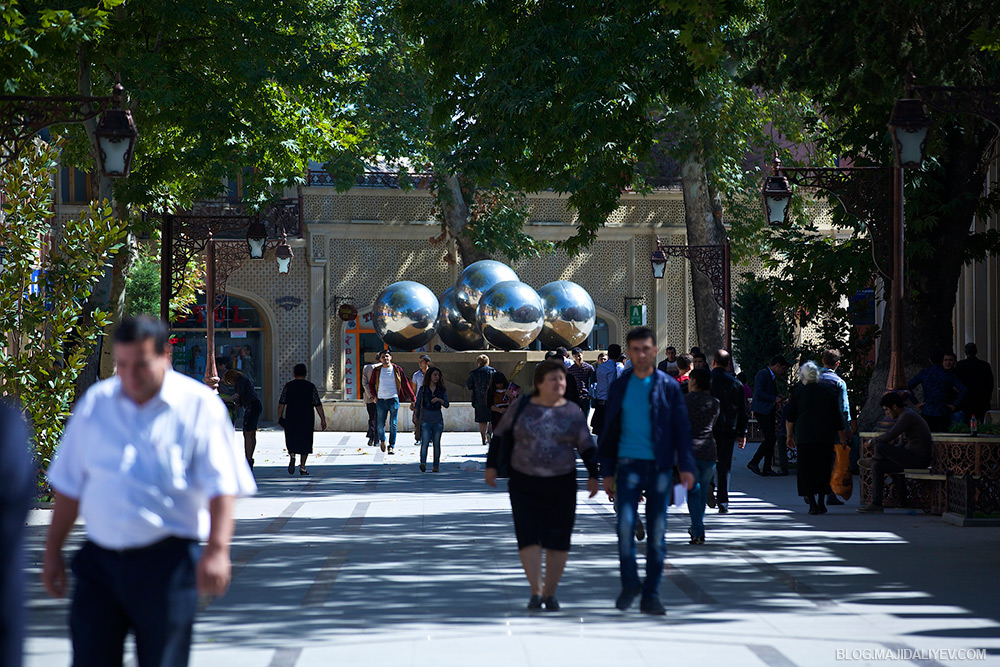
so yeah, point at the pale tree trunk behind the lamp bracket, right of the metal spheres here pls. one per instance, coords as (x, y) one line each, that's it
(703, 219)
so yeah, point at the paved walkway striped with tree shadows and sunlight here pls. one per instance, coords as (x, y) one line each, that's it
(369, 562)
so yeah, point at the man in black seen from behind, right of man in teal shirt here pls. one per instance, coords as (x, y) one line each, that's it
(731, 427)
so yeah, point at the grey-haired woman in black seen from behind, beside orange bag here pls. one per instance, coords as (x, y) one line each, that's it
(813, 424)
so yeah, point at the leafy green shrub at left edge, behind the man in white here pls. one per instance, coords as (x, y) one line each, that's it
(48, 274)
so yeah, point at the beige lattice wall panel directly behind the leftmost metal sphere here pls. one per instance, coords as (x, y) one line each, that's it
(361, 268)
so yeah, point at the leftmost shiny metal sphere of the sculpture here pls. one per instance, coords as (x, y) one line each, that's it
(404, 315)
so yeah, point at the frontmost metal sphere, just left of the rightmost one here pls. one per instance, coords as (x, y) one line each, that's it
(510, 315)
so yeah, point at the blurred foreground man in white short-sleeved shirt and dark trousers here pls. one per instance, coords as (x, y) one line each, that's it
(148, 459)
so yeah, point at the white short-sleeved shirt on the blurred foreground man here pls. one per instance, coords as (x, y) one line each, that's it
(143, 473)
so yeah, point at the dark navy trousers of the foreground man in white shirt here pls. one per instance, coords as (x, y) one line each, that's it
(149, 591)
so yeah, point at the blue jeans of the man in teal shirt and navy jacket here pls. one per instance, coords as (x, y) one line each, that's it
(634, 478)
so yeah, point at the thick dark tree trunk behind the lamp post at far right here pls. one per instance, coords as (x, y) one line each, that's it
(932, 277)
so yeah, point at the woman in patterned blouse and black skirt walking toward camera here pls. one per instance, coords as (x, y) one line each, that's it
(548, 433)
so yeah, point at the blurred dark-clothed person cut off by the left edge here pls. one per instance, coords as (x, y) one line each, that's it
(16, 491)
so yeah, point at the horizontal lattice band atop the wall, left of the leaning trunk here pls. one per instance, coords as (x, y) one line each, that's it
(394, 209)
